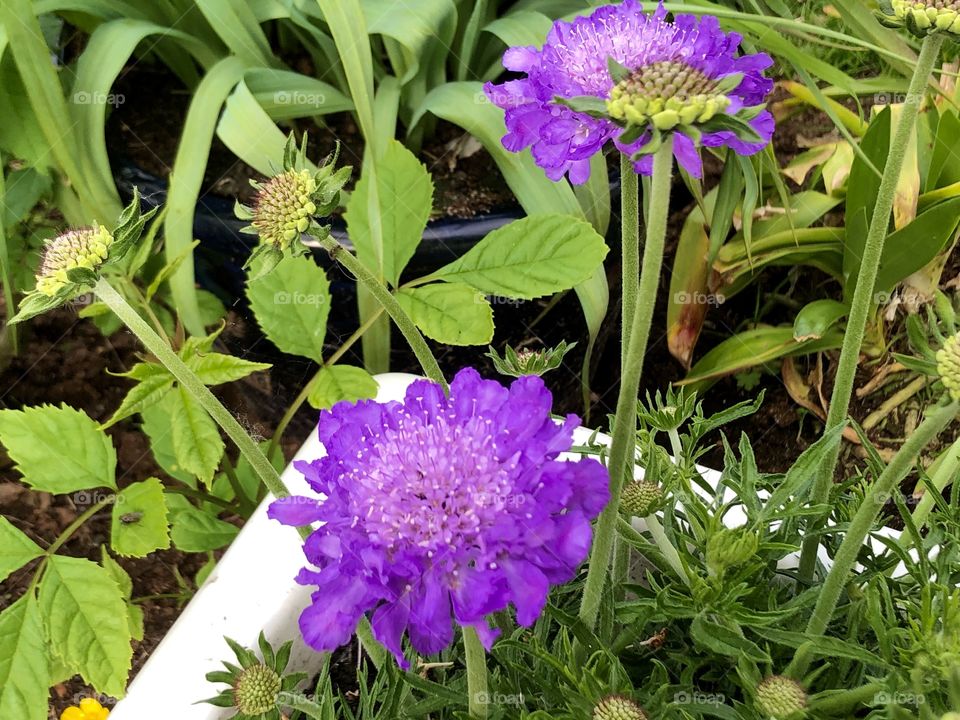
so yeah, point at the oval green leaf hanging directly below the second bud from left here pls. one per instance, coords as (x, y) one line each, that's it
(291, 304)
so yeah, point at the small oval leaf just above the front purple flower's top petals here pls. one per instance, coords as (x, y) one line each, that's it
(450, 313)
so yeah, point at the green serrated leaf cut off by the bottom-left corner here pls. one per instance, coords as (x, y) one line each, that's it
(24, 669)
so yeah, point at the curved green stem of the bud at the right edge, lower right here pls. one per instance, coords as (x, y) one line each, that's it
(863, 522)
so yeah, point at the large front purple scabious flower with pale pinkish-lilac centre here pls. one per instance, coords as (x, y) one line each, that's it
(440, 509)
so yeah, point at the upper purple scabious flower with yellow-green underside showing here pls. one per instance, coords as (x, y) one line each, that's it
(681, 76)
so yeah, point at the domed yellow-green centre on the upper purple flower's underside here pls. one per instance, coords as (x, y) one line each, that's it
(666, 94)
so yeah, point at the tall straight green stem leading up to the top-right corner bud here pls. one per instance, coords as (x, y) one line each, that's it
(863, 294)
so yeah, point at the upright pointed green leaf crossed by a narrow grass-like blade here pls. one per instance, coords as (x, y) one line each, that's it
(404, 198)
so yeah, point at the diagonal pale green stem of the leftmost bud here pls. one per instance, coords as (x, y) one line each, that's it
(192, 384)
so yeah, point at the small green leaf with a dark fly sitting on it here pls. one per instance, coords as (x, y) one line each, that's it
(139, 524)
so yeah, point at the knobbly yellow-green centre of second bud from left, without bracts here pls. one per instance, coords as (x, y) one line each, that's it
(284, 208)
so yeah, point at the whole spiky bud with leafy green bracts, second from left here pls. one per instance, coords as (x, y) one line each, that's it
(287, 206)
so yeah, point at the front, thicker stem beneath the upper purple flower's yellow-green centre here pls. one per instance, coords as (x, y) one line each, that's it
(623, 445)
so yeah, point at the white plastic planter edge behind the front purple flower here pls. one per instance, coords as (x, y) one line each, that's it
(253, 589)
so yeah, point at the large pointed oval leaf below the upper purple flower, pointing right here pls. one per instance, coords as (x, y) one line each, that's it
(529, 258)
